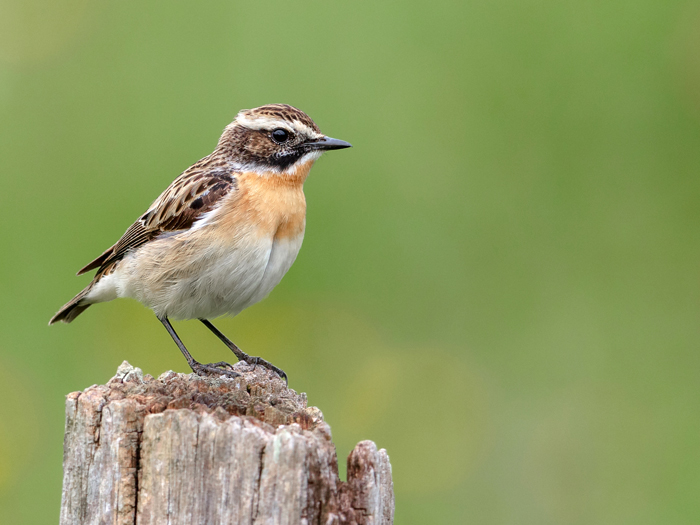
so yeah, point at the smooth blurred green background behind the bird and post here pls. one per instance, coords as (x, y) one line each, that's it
(499, 284)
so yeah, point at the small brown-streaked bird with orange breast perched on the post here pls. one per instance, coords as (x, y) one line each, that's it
(222, 234)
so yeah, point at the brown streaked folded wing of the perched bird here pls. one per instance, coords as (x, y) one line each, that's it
(189, 196)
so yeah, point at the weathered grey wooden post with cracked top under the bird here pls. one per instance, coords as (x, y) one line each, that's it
(183, 449)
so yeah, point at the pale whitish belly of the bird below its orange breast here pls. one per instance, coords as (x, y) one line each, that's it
(180, 280)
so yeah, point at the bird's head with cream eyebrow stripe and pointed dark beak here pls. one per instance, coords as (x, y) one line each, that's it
(275, 138)
